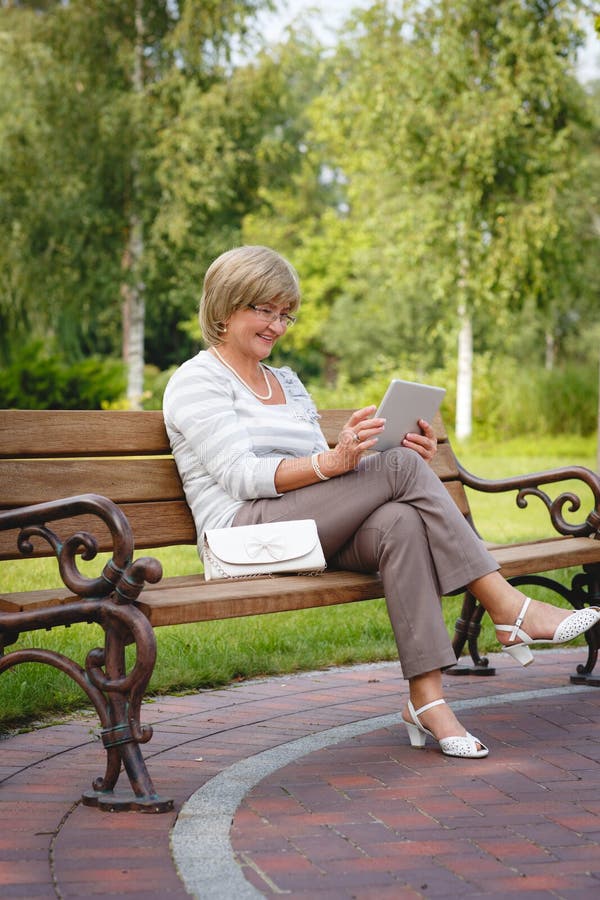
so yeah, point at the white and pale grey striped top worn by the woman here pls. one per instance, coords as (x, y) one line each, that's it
(227, 444)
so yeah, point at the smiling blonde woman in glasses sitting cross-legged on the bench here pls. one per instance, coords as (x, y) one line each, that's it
(249, 449)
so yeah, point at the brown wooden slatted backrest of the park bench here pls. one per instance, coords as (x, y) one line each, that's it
(50, 454)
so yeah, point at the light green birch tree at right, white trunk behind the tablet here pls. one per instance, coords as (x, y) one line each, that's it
(458, 132)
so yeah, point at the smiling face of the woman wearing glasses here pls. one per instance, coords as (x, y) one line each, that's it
(253, 331)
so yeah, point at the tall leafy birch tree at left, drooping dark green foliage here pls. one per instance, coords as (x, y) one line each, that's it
(88, 80)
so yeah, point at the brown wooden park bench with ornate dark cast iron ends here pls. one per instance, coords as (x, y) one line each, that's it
(66, 475)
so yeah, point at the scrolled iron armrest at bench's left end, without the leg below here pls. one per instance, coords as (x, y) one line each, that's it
(120, 574)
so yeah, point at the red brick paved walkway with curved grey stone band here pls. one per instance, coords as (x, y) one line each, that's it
(326, 796)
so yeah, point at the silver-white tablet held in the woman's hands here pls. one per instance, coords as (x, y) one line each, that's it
(404, 403)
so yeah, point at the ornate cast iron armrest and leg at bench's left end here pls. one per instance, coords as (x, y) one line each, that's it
(107, 600)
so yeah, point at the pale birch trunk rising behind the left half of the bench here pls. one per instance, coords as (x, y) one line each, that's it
(132, 289)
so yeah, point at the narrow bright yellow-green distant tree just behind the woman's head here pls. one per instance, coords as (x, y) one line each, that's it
(299, 196)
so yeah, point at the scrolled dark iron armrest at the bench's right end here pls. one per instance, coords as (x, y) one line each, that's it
(527, 485)
